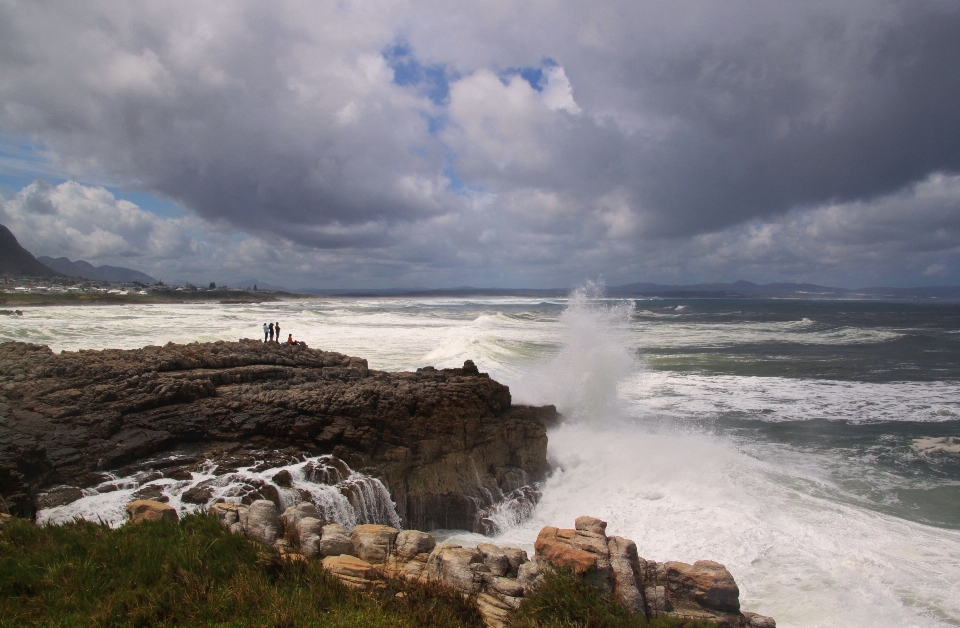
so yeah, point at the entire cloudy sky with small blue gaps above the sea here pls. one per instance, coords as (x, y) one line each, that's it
(399, 144)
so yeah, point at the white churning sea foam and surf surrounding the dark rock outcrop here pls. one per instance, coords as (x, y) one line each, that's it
(802, 549)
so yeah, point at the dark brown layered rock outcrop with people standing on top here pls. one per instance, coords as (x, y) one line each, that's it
(446, 443)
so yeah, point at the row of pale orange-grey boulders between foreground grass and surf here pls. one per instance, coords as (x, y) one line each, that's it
(497, 577)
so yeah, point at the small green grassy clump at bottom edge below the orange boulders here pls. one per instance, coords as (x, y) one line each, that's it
(564, 600)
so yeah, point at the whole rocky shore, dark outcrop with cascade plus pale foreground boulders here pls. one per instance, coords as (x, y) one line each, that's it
(268, 437)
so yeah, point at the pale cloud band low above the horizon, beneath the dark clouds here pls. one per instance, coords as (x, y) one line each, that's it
(526, 237)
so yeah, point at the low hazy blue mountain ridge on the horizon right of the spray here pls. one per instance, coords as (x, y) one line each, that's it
(746, 289)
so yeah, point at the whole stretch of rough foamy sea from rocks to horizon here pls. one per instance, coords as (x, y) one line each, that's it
(776, 437)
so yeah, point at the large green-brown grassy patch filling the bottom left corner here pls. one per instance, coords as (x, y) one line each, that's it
(193, 573)
